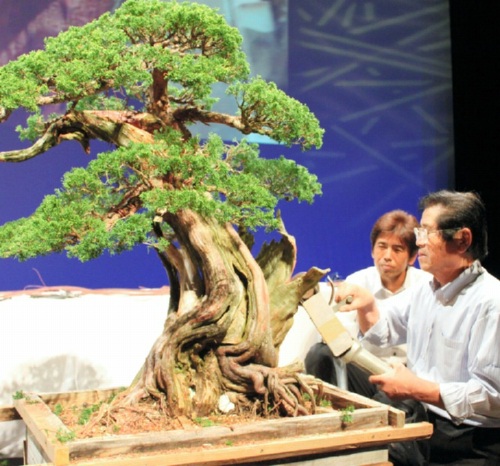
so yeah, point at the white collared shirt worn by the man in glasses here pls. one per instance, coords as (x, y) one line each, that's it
(453, 339)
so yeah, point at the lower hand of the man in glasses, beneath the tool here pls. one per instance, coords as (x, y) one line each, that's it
(401, 383)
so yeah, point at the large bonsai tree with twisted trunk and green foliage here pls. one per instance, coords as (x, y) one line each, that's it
(139, 79)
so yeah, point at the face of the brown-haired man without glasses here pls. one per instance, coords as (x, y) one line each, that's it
(391, 257)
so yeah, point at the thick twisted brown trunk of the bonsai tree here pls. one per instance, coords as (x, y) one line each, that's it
(220, 339)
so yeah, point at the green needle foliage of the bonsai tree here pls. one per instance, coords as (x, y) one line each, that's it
(112, 64)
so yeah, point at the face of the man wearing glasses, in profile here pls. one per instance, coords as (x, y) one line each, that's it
(434, 254)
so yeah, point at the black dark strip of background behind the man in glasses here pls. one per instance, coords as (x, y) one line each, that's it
(476, 101)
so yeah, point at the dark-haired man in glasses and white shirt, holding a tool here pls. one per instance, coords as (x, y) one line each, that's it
(452, 330)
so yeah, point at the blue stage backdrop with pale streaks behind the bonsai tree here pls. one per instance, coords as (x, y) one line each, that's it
(376, 74)
